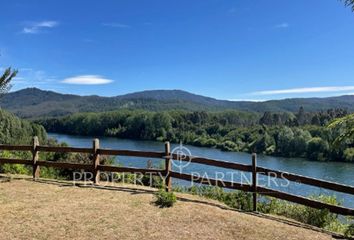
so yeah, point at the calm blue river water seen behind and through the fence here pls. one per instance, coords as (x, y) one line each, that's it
(332, 171)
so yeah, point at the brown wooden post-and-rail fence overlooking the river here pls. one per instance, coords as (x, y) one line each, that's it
(168, 173)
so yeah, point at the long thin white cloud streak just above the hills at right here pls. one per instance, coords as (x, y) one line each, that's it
(305, 90)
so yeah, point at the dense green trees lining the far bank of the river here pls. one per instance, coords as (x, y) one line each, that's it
(291, 135)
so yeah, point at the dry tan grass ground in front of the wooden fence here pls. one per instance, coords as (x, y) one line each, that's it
(46, 210)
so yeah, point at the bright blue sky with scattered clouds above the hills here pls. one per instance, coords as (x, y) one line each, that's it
(240, 49)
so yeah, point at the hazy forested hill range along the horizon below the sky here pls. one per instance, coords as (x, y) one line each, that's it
(36, 103)
